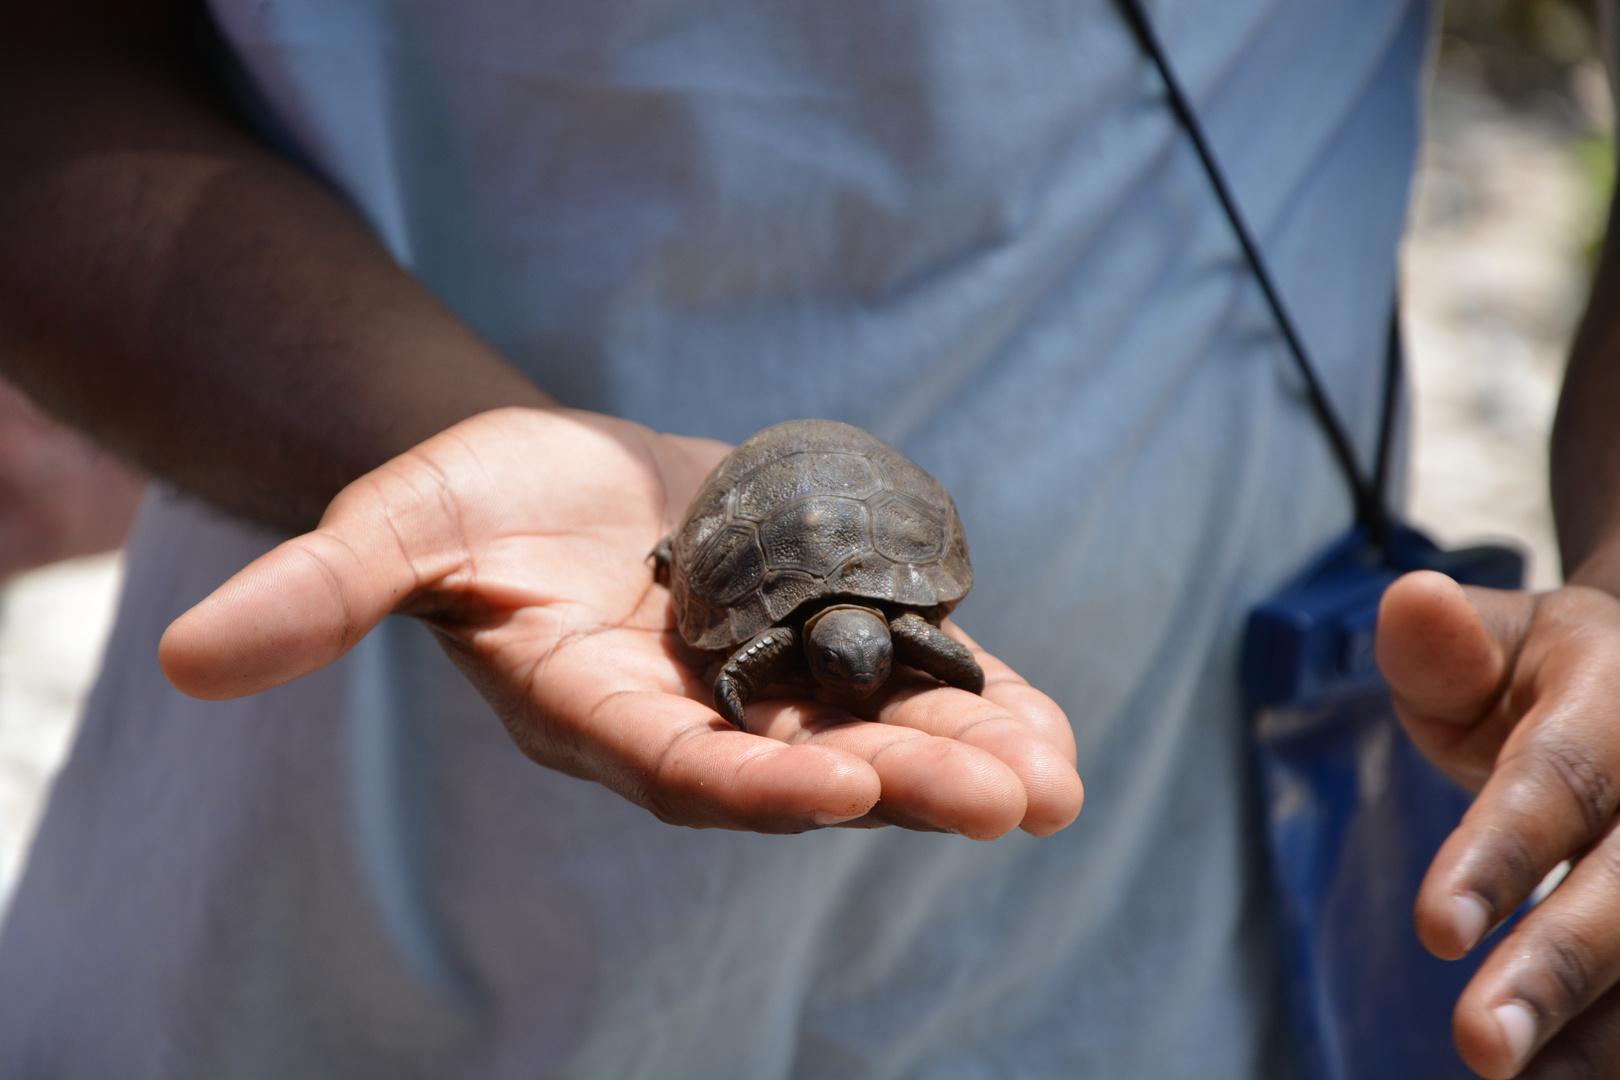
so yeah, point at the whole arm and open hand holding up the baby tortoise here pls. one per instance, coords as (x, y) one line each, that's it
(221, 318)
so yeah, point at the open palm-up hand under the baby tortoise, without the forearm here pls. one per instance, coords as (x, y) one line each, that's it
(522, 538)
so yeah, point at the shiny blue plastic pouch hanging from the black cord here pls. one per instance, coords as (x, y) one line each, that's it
(1355, 814)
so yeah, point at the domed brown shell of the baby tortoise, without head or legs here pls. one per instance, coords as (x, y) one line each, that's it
(812, 509)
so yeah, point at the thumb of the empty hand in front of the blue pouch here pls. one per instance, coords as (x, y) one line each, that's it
(1446, 650)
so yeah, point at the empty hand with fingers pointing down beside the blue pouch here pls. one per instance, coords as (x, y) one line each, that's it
(1517, 697)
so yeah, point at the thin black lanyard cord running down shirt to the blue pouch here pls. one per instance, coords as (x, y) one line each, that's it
(1371, 509)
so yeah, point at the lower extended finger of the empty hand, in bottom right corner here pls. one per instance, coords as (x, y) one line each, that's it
(1551, 969)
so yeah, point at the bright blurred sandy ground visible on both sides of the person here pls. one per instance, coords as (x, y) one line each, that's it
(1494, 284)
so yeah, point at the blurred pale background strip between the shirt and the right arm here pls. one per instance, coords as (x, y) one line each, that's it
(1507, 218)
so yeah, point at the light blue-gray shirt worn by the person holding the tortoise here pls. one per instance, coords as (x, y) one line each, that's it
(968, 226)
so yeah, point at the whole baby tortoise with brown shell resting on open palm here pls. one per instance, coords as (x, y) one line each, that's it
(819, 546)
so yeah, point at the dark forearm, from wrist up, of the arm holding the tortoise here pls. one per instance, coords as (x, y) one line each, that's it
(195, 302)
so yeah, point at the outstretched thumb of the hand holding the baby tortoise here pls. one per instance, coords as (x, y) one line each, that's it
(296, 610)
